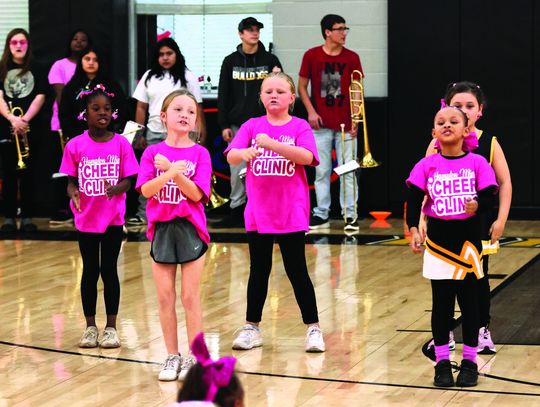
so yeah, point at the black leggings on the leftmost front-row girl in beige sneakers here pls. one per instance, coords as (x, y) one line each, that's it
(89, 244)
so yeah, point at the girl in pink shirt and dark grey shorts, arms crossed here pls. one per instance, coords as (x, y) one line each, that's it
(175, 177)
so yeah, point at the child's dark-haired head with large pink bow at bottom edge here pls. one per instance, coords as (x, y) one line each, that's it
(213, 381)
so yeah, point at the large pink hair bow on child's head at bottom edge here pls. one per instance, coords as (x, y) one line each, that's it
(216, 373)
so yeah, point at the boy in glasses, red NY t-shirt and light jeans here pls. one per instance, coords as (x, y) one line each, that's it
(328, 67)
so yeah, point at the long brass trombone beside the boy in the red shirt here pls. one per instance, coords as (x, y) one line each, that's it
(358, 115)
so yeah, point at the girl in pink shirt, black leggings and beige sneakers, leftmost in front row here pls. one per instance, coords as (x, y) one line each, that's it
(99, 164)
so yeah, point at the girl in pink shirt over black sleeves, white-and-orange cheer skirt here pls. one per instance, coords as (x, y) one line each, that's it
(458, 185)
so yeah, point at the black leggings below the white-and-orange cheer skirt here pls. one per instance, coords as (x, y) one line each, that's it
(444, 293)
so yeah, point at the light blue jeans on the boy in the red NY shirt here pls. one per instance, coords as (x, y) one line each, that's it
(347, 190)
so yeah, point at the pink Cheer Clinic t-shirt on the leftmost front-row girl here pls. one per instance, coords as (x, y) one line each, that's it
(94, 164)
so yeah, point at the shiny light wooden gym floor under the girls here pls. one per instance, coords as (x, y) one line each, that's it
(374, 309)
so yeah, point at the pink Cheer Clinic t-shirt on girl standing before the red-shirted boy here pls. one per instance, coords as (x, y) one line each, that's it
(277, 188)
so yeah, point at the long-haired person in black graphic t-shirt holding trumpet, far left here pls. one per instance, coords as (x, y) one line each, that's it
(23, 85)
